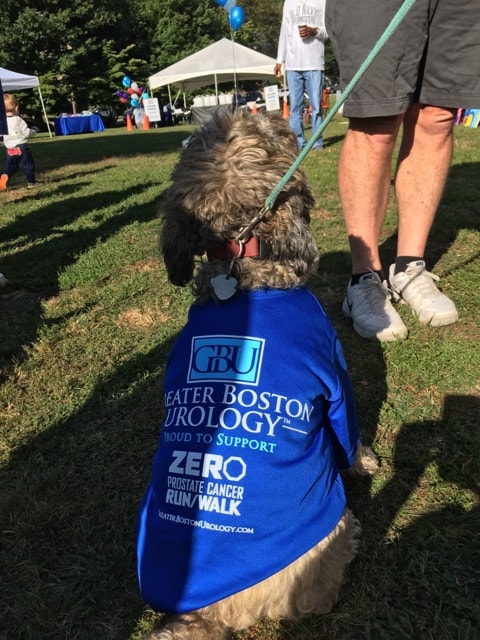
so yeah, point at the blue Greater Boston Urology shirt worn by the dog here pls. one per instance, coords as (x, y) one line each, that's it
(259, 418)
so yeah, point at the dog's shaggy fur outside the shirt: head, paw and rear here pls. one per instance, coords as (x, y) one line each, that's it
(223, 177)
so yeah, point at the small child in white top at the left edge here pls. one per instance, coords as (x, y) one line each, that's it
(16, 144)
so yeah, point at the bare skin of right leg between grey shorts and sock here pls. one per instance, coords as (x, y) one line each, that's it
(423, 163)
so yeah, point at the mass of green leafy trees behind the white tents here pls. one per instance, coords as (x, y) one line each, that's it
(80, 51)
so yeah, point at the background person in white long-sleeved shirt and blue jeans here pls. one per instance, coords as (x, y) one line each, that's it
(301, 49)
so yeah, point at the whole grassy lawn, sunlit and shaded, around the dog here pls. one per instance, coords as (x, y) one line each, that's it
(85, 328)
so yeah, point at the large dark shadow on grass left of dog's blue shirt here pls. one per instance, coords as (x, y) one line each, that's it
(69, 504)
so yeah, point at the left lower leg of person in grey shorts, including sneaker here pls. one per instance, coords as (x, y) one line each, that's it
(364, 181)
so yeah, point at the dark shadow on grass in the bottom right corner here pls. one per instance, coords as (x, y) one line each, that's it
(421, 581)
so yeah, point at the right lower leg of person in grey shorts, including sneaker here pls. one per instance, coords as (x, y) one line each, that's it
(423, 163)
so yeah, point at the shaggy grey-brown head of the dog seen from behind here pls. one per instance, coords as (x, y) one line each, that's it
(220, 184)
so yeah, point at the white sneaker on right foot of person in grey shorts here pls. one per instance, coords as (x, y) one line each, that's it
(416, 286)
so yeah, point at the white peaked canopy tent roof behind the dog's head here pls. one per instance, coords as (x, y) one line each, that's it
(222, 61)
